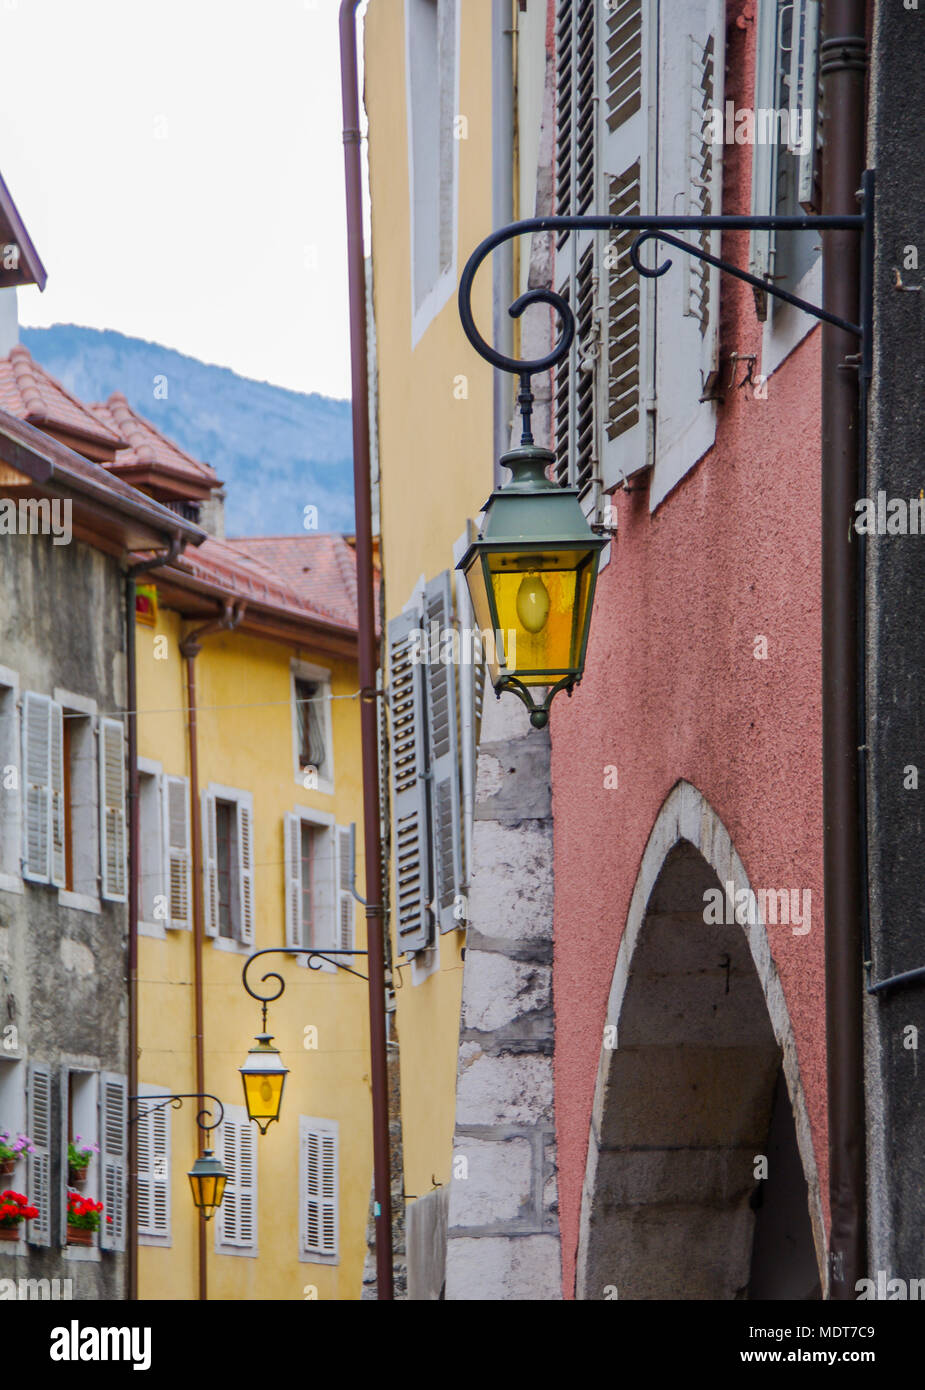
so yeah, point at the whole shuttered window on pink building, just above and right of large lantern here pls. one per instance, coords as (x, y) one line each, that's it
(620, 407)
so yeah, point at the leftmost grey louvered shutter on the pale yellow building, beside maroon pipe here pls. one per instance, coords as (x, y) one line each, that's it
(411, 821)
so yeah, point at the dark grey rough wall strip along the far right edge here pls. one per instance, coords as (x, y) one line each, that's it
(896, 647)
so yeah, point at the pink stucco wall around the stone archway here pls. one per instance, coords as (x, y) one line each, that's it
(673, 690)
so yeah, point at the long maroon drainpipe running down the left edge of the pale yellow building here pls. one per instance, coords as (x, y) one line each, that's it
(368, 655)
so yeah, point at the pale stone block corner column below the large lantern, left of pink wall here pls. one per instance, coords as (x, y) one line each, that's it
(503, 1228)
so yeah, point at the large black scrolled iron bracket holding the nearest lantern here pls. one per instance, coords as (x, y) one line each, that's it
(663, 229)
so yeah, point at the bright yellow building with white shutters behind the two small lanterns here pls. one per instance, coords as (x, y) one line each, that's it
(276, 872)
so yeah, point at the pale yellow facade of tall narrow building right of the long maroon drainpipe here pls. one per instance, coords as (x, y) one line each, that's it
(431, 187)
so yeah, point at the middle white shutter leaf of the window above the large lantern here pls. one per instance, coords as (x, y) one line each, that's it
(627, 187)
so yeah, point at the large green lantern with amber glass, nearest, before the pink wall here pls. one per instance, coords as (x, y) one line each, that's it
(532, 576)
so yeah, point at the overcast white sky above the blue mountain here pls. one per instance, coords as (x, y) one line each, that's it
(180, 169)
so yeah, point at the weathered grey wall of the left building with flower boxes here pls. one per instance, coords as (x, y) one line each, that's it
(63, 971)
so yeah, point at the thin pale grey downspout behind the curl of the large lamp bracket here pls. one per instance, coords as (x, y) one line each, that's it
(501, 216)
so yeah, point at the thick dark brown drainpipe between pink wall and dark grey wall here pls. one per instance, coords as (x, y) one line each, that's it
(844, 70)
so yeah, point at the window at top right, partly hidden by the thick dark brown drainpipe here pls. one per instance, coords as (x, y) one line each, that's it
(785, 167)
